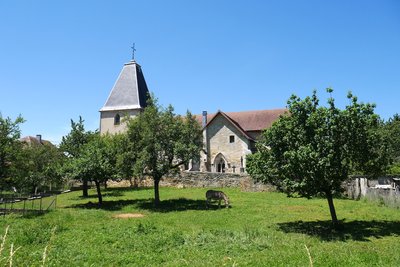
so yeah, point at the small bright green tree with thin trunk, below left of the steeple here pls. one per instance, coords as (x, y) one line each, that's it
(95, 162)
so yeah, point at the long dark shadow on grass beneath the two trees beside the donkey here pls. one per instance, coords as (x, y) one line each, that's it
(170, 205)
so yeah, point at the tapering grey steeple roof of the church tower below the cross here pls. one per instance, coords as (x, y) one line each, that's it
(129, 91)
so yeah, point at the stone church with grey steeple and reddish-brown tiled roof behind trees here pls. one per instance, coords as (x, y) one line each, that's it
(227, 136)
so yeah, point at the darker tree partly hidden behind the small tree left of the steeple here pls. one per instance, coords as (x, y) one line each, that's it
(72, 144)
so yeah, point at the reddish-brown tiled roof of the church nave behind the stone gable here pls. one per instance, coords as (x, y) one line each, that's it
(255, 120)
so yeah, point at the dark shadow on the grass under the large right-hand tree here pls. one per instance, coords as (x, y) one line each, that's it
(353, 230)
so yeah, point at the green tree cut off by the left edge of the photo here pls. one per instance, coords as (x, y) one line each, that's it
(9, 147)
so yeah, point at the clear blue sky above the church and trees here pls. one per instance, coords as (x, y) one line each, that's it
(60, 59)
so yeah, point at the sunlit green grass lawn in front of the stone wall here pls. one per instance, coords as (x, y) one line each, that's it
(260, 229)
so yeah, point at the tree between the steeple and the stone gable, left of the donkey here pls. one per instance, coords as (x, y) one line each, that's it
(162, 141)
